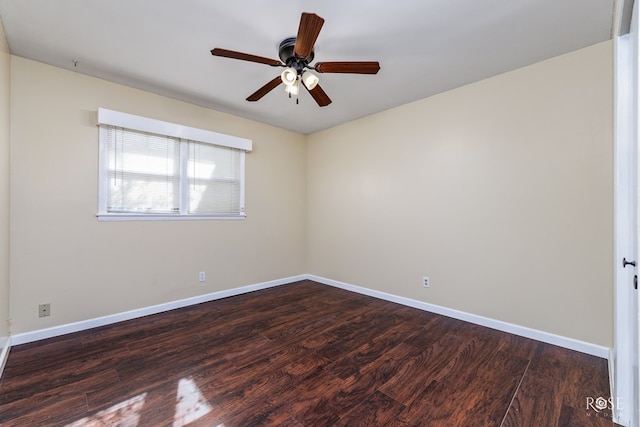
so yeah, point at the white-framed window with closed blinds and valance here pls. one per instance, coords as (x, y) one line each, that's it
(157, 170)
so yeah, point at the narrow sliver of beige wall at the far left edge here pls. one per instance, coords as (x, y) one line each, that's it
(5, 106)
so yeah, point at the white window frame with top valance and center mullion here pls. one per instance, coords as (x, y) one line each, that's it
(184, 134)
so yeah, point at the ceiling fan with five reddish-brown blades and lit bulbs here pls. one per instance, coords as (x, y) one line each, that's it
(296, 54)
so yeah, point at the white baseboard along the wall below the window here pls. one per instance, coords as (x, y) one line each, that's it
(55, 331)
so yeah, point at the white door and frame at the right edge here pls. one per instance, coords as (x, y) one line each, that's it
(624, 355)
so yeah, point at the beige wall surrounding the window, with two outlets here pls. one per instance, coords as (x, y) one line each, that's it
(61, 254)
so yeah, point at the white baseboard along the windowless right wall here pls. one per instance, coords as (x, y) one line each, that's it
(570, 343)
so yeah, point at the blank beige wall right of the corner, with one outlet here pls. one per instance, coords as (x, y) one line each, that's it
(500, 192)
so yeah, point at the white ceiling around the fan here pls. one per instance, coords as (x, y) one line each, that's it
(424, 46)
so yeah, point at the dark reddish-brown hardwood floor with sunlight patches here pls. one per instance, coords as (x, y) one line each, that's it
(303, 354)
